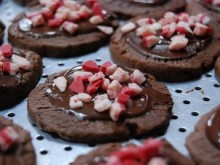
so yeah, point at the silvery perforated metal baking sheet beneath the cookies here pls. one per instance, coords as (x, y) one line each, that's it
(191, 100)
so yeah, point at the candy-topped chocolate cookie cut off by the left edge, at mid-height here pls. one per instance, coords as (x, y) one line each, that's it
(20, 71)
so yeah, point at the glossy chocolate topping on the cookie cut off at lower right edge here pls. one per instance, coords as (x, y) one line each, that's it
(213, 128)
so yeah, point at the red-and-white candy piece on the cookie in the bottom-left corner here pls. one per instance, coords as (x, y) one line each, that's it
(8, 137)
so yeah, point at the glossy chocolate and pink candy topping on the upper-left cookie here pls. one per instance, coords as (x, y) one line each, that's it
(81, 21)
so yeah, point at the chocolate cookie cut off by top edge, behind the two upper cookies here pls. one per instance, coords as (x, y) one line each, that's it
(131, 8)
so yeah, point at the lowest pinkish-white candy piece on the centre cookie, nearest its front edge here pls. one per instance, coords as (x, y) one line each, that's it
(116, 110)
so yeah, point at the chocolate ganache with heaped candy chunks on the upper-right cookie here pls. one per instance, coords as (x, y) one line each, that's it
(174, 37)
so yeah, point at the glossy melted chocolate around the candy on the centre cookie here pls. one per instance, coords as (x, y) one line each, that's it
(137, 105)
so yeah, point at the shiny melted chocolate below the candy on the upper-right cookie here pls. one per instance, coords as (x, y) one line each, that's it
(161, 50)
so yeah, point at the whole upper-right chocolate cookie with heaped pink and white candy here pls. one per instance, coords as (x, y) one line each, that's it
(175, 48)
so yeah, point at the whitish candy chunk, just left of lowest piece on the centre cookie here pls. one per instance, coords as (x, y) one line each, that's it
(102, 105)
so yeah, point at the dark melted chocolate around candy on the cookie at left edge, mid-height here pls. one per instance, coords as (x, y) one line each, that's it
(8, 80)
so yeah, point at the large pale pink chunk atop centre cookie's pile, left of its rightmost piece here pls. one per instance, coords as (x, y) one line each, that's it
(120, 75)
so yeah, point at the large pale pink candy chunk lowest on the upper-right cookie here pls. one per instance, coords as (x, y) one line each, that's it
(178, 42)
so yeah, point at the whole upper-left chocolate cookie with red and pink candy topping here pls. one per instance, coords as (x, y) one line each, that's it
(64, 29)
